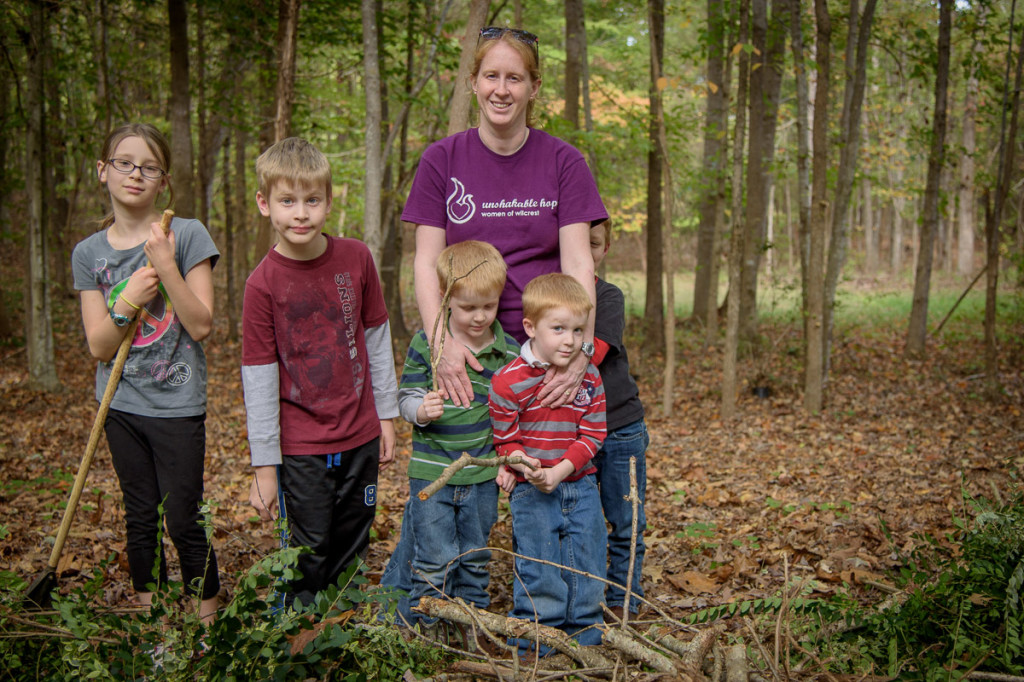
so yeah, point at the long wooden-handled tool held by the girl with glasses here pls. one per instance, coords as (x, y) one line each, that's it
(38, 593)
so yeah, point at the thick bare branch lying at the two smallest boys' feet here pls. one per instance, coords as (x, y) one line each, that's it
(457, 612)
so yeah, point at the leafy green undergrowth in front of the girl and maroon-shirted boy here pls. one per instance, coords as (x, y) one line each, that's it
(253, 637)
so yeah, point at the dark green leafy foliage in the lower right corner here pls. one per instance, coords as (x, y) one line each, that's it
(963, 609)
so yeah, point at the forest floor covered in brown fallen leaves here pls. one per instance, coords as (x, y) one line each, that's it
(735, 509)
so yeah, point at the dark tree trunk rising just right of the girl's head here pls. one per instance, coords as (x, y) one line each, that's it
(181, 108)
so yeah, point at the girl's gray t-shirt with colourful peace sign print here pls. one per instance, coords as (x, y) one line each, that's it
(165, 374)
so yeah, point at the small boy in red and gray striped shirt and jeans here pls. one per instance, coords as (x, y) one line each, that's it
(558, 519)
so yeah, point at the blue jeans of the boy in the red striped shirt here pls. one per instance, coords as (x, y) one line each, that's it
(565, 528)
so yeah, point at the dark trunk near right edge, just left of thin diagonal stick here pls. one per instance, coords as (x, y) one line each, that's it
(918, 329)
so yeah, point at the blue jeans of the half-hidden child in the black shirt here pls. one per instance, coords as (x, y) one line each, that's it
(613, 463)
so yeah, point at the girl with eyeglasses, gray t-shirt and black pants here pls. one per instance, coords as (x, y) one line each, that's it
(156, 428)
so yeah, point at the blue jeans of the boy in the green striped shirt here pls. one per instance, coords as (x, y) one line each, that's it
(434, 555)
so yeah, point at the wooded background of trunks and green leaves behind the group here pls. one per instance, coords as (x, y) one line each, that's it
(805, 143)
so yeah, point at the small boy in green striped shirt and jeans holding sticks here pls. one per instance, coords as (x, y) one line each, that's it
(438, 533)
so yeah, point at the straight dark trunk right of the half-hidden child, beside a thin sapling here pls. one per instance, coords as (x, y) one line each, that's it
(654, 308)
